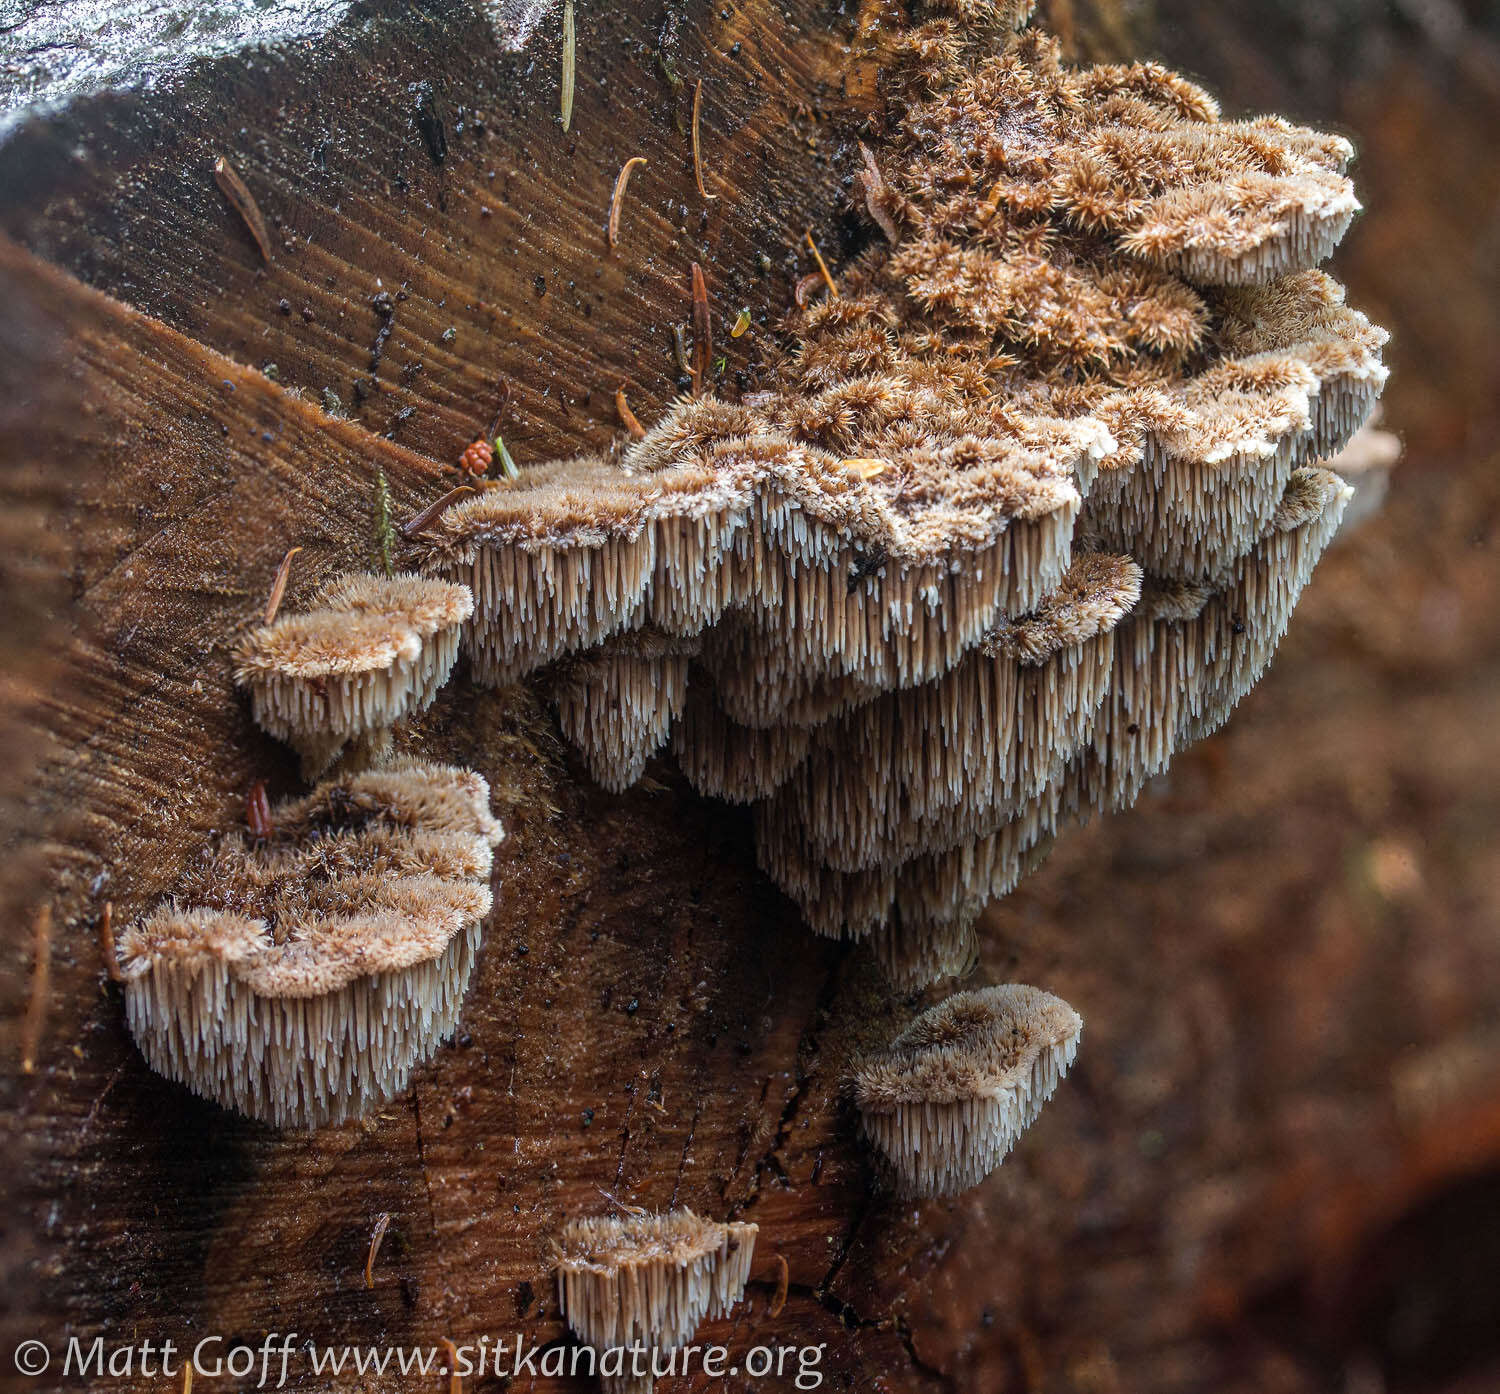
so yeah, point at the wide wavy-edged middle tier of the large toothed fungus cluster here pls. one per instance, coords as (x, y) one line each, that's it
(721, 511)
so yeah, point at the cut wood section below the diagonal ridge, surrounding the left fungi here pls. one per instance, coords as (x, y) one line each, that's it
(643, 997)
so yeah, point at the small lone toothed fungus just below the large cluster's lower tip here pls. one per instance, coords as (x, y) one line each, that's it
(947, 1101)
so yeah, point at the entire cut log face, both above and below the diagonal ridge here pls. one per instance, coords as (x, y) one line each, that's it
(647, 1011)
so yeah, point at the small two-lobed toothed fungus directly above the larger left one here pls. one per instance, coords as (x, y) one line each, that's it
(371, 652)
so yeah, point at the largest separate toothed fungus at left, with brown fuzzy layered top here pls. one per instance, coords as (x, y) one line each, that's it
(299, 979)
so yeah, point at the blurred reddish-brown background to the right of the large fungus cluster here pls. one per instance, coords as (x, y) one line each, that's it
(1294, 943)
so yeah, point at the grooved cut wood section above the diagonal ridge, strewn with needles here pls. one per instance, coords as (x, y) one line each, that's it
(502, 242)
